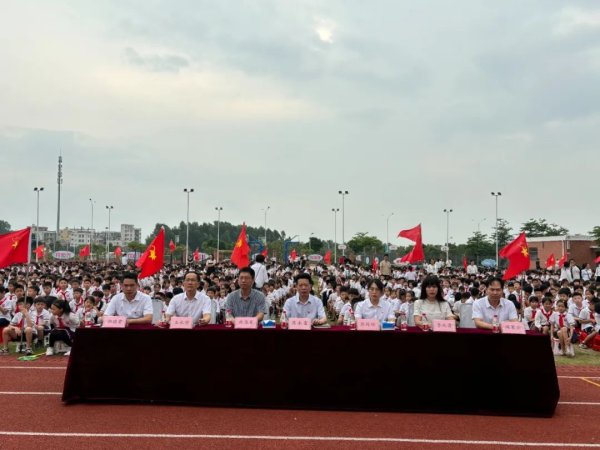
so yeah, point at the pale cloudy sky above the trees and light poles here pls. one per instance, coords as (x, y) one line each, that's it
(412, 107)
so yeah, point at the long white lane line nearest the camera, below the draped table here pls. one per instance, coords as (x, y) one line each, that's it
(300, 438)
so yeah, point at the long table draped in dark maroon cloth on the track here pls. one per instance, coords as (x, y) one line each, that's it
(470, 371)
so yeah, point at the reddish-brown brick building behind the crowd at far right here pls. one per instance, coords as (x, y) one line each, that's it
(583, 249)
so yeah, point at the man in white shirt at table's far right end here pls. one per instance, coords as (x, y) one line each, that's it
(485, 308)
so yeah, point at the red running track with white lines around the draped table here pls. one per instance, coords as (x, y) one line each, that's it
(38, 418)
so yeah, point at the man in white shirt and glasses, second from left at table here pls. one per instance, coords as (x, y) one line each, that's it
(191, 303)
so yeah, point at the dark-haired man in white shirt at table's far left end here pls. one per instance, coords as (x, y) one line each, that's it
(131, 303)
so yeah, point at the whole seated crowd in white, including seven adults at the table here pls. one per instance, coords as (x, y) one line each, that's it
(45, 306)
